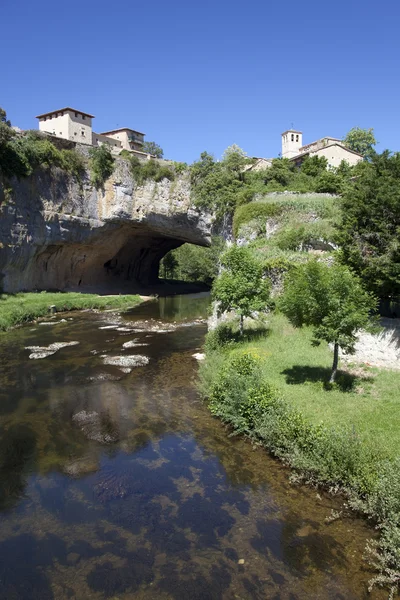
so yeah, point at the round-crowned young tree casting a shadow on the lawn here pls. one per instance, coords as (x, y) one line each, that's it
(332, 301)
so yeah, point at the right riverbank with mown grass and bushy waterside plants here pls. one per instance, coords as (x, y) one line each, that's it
(271, 387)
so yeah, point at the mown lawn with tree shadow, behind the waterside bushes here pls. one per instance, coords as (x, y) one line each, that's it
(366, 398)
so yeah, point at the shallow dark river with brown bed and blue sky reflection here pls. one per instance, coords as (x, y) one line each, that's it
(116, 482)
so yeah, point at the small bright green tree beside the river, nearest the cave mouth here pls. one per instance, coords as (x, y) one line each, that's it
(240, 287)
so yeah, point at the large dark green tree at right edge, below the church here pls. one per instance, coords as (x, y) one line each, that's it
(369, 231)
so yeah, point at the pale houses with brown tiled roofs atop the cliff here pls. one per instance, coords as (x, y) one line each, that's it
(75, 125)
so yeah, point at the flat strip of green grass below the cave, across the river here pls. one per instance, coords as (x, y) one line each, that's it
(20, 308)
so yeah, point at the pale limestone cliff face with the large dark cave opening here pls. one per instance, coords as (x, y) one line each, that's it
(58, 234)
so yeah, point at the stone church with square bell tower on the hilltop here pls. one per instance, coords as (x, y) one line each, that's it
(332, 149)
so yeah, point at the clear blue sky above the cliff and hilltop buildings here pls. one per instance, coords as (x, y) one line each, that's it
(200, 76)
